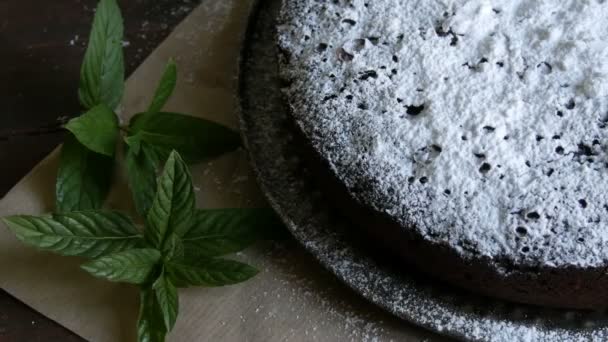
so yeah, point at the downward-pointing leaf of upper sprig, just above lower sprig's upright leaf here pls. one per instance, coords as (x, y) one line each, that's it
(141, 174)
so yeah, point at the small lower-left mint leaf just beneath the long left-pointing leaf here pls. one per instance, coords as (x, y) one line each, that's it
(133, 266)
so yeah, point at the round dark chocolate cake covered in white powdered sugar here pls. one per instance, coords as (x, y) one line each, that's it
(466, 136)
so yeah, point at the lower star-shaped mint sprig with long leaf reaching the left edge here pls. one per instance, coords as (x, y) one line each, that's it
(177, 247)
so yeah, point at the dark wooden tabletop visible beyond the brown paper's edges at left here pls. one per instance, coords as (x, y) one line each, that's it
(42, 47)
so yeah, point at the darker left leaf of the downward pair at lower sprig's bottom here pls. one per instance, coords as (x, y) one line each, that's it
(150, 326)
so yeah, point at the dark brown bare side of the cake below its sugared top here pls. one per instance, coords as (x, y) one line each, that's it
(574, 288)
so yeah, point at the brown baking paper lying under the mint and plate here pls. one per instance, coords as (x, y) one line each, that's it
(292, 299)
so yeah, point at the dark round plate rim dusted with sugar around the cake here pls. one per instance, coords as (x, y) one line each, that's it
(292, 192)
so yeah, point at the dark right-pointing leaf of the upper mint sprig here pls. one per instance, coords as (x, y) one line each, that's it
(194, 138)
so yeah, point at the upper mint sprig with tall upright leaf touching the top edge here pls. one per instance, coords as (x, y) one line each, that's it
(153, 133)
